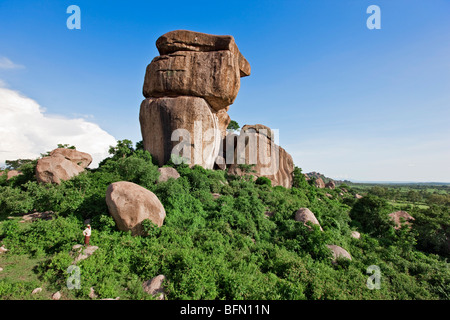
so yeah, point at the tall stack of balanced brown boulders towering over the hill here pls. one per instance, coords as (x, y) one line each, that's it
(195, 80)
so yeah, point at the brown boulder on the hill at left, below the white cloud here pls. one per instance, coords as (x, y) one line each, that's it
(62, 164)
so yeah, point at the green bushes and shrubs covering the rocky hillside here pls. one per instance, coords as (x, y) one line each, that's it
(224, 248)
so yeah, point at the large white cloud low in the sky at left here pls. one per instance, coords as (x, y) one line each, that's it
(26, 131)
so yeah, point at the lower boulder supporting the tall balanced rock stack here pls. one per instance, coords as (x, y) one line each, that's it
(179, 118)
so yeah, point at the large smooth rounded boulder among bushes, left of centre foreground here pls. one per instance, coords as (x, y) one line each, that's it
(130, 204)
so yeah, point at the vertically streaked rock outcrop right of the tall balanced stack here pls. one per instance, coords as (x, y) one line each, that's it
(255, 145)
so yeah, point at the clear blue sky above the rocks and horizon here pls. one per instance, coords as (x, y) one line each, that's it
(349, 102)
